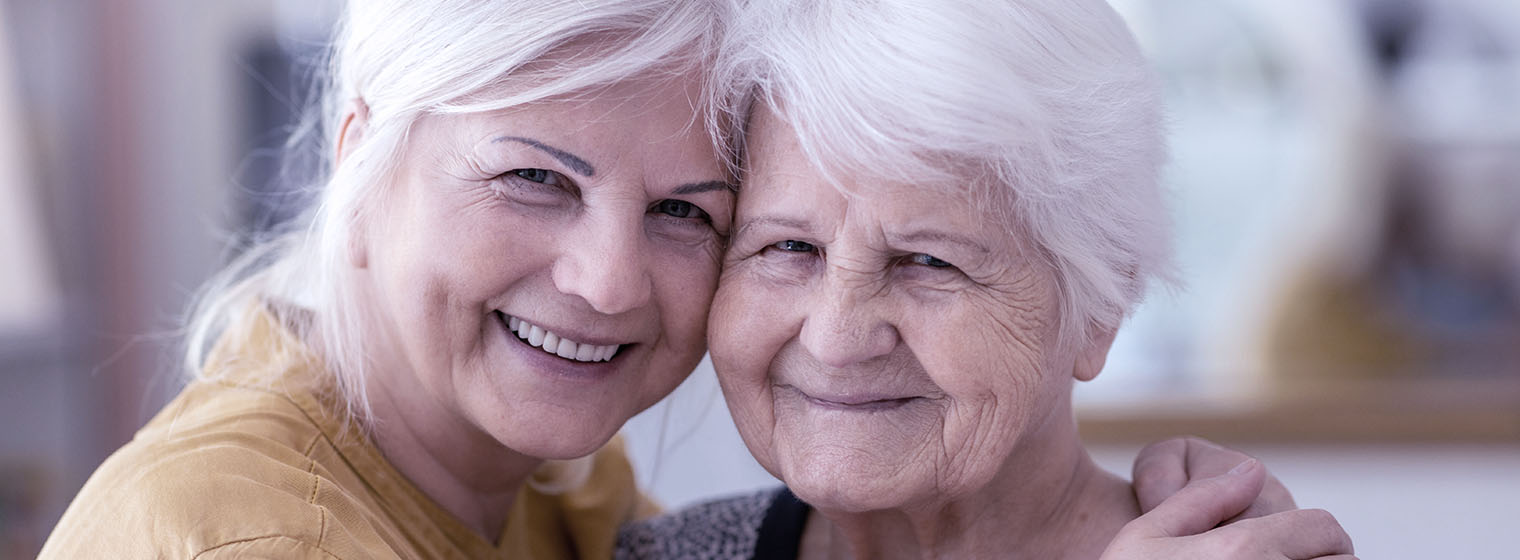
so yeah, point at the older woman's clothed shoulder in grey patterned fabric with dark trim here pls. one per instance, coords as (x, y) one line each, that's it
(723, 529)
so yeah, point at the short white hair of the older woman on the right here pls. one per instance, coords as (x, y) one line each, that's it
(1050, 98)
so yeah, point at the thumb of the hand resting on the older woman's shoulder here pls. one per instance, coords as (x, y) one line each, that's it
(1205, 504)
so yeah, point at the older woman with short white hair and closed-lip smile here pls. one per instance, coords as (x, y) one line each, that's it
(948, 211)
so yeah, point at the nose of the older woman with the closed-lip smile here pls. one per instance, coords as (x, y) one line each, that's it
(844, 325)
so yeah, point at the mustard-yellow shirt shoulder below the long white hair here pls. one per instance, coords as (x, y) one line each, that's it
(221, 471)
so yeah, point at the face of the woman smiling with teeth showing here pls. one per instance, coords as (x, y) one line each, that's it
(591, 226)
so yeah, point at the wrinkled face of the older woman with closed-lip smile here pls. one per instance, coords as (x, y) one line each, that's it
(884, 346)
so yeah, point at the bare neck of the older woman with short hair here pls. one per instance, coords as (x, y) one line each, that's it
(1048, 501)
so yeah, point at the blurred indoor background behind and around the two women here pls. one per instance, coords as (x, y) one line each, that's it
(1346, 180)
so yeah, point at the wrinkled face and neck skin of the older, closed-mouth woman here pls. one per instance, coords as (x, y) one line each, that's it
(902, 482)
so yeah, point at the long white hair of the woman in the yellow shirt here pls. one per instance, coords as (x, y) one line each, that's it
(408, 59)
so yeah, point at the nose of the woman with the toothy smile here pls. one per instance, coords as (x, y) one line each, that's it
(604, 264)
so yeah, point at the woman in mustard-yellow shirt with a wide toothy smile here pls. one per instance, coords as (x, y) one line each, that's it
(513, 253)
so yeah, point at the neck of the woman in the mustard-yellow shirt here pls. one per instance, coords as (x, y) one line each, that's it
(455, 463)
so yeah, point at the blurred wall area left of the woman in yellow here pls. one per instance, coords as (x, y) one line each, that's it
(135, 122)
